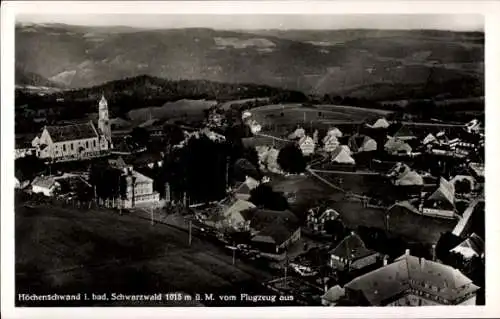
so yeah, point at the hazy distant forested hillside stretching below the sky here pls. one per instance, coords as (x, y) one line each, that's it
(335, 62)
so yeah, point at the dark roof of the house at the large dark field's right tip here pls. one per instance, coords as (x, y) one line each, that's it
(278, 225)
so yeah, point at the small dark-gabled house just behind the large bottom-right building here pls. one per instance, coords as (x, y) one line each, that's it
(352, 254)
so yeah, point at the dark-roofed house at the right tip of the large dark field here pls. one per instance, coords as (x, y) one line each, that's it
(272, 231)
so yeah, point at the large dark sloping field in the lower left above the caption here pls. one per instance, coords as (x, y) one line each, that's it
(66, 250)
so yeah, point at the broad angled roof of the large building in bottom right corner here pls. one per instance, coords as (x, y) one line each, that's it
(408, 271)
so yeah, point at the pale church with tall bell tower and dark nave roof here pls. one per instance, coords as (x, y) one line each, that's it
(76, 141)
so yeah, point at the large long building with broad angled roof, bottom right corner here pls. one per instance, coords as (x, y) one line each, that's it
(410, 281)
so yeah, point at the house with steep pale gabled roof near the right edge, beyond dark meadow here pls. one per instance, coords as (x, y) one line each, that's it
(441, 203)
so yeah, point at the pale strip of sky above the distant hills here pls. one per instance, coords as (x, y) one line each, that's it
(454, 22)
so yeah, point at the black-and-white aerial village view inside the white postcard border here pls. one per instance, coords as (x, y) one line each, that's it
(334, 160)
